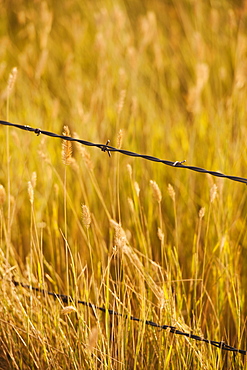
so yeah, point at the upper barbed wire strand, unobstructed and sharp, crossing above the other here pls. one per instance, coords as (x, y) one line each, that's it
(107, 148)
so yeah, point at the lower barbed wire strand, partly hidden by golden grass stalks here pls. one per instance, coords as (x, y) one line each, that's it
(67, 299)
